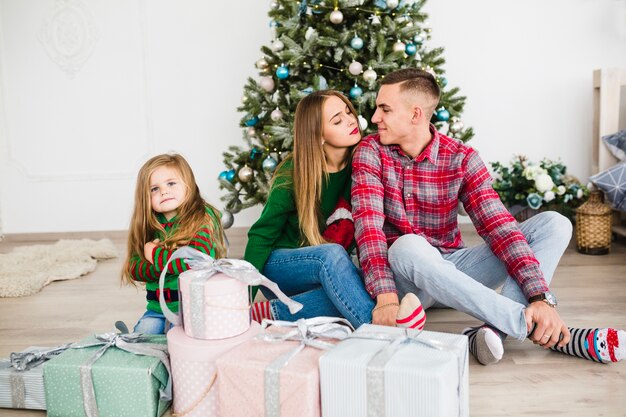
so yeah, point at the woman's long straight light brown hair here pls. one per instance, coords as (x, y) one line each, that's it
(309, 161)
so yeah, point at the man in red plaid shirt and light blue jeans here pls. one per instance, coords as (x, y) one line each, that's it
(407, 182)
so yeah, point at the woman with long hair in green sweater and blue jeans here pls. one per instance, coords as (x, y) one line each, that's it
(304, 234)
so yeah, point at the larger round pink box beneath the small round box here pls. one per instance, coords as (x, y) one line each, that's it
(194, 370)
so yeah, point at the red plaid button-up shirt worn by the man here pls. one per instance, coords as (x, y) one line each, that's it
(394, 195)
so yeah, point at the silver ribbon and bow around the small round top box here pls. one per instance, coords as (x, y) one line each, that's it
(206, 267)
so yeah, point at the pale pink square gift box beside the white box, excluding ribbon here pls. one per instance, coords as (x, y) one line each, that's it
(242, 380)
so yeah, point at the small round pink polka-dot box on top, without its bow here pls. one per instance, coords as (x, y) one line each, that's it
(220, 310)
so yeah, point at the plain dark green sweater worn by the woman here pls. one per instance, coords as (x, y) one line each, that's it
(278, 227)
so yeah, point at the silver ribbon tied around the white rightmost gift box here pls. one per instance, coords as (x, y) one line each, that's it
(375, 371)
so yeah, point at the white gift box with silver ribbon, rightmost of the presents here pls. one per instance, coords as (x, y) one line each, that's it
(369, 375)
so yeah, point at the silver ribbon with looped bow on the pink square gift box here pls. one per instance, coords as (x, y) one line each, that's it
(305, 331)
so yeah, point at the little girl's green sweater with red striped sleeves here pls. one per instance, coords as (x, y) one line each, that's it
(144, 271)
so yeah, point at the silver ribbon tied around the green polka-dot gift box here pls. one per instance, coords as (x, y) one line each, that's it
(136, 343)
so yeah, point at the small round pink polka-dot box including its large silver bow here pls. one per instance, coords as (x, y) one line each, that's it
(214, 295)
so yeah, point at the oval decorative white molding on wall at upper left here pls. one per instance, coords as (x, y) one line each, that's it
(69, 35)
